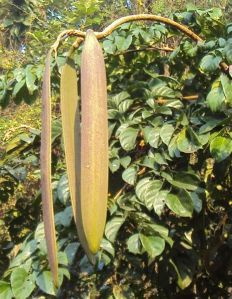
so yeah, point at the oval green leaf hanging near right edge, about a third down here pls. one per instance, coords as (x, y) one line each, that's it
(215, 98)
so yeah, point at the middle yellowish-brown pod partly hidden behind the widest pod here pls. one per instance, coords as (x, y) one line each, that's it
(70, 116)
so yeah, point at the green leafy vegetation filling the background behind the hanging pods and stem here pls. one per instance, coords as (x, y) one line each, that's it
(169, 224)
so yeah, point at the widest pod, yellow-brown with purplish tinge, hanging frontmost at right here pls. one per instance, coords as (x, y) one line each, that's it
(94, 142)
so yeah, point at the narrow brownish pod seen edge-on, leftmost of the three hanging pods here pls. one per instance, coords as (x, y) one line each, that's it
(46, 185)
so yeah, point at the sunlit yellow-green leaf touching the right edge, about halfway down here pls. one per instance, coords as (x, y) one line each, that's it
(221, 148)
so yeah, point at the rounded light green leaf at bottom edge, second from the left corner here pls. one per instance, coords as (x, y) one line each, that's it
(22, 283)
